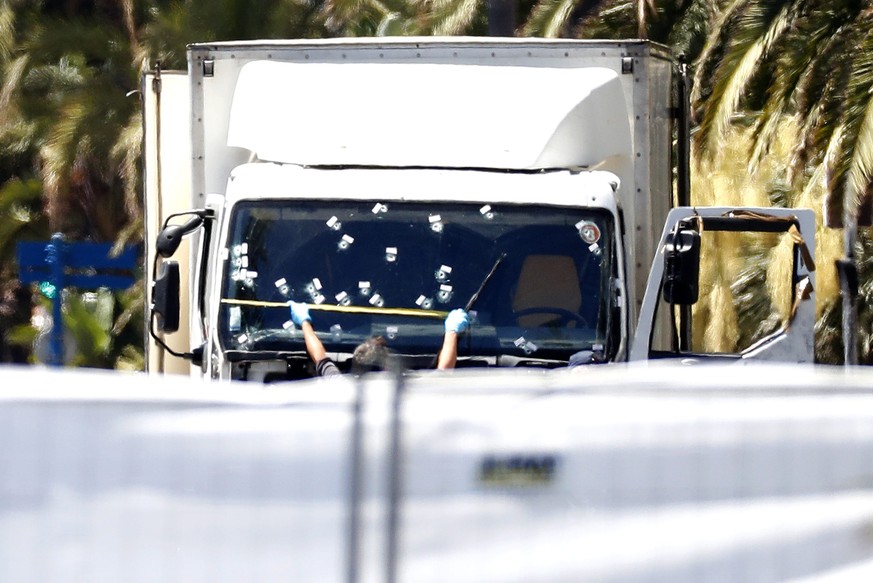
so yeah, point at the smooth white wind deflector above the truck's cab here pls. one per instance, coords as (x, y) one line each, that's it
(378, 114)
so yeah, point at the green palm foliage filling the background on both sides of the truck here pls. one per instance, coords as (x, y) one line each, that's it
(70, 130)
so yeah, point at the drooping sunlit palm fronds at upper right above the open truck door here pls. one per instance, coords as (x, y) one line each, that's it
(808, 64)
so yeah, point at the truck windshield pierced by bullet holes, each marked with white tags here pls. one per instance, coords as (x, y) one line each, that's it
(536, 277)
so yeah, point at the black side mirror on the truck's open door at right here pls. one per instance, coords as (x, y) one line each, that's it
(682, 267)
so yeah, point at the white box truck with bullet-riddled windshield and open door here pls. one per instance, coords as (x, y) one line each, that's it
(385, 181)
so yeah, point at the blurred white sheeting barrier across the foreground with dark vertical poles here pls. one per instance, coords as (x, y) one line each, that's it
(611, 473)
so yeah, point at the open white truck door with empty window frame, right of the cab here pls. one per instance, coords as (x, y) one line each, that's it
(755, 269)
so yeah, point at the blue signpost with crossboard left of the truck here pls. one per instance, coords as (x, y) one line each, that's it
(81, 265)
